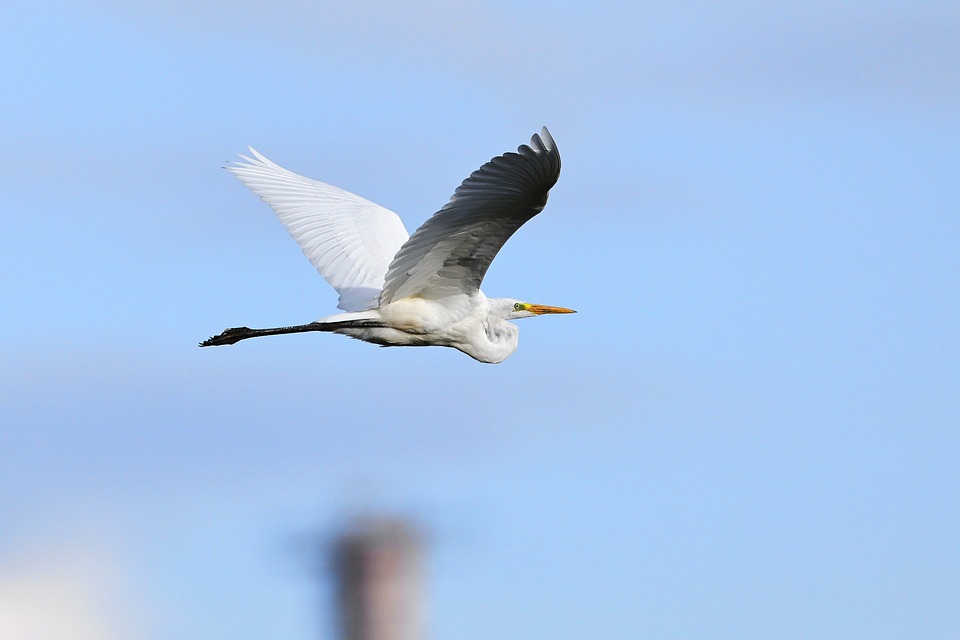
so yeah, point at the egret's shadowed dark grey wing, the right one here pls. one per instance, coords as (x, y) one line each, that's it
(451, 252)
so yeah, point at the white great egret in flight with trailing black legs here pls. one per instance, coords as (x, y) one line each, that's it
(418, 290)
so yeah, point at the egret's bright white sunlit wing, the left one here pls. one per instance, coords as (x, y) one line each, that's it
(351, 241)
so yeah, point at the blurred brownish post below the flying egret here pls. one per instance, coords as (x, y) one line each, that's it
(377, 567)
